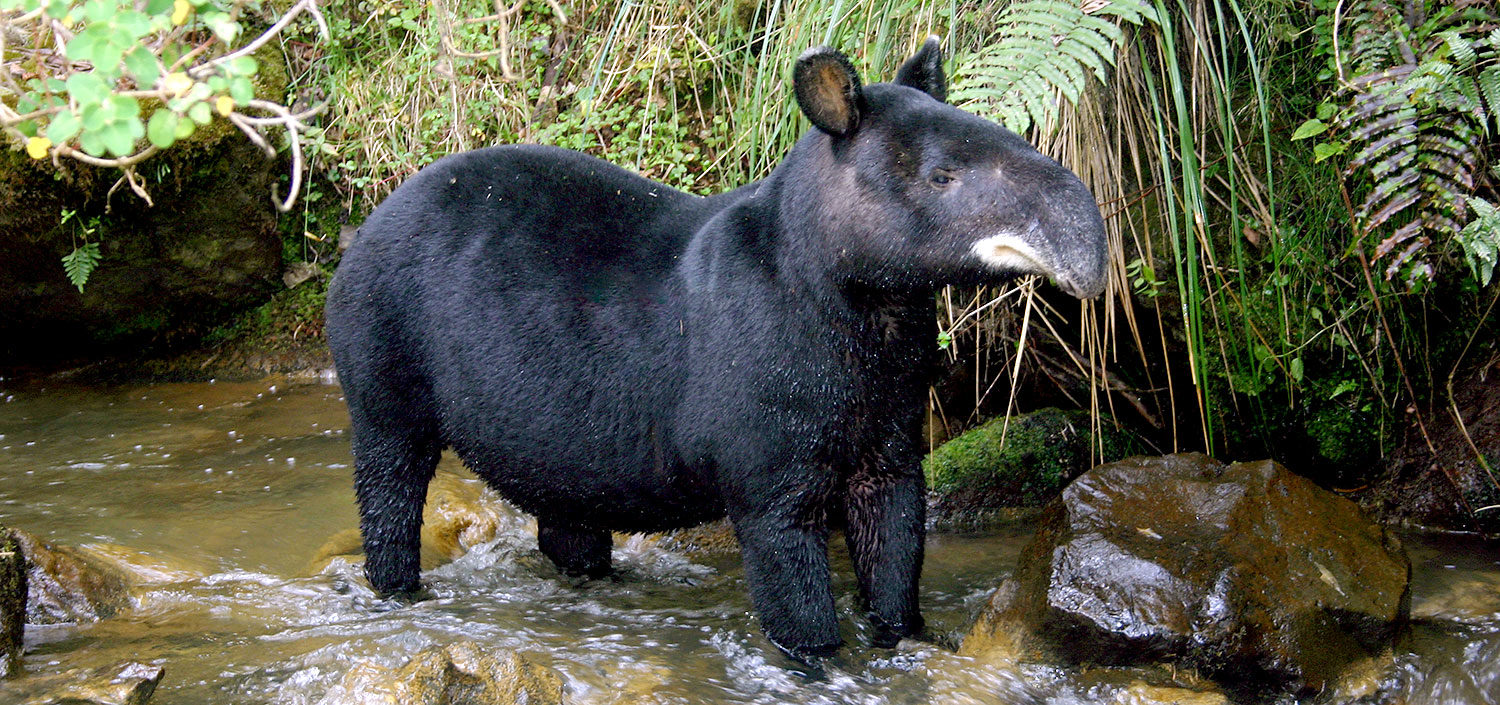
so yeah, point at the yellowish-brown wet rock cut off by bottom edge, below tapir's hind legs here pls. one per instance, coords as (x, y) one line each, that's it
(458, 674)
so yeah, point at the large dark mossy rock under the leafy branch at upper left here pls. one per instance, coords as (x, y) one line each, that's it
(208, 248)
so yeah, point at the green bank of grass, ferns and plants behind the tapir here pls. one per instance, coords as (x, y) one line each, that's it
(1300, 193)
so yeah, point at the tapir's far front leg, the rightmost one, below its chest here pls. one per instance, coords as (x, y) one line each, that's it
(887, 514)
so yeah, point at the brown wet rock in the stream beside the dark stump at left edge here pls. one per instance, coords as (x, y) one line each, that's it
(70, 586)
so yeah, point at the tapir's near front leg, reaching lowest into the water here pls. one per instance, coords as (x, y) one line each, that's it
(784, 539)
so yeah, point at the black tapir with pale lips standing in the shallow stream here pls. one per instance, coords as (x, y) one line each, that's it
(613, 355)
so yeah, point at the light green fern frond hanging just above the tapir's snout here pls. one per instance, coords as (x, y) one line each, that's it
(1043, 49)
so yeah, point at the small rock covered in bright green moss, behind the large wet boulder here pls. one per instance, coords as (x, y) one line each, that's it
(1022, 464)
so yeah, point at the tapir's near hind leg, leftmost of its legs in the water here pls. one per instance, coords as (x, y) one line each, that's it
(394, 463)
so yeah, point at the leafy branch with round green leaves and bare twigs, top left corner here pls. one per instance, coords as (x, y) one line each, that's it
(76, 79)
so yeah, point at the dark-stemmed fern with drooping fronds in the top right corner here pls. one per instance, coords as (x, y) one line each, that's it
(1424, 95)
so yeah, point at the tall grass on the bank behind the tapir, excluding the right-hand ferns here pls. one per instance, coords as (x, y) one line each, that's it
(1235, 308)
